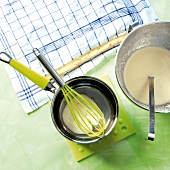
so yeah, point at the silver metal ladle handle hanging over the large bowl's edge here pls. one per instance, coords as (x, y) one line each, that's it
(151, 134)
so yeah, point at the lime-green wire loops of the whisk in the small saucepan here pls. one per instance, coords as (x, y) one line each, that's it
(73, 100)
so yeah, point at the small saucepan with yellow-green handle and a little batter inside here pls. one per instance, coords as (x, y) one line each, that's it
(95, 89)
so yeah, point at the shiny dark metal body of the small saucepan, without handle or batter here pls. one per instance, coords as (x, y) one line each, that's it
(100, 93)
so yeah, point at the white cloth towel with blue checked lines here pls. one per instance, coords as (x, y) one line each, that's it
(62, 30)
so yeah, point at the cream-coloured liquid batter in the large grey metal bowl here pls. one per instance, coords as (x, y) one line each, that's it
(153, 62)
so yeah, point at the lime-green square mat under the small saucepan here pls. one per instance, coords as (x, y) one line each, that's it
(122, 130)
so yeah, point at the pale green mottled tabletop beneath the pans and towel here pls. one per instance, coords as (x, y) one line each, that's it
(32, 142)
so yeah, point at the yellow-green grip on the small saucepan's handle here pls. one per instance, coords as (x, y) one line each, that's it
(30, 74)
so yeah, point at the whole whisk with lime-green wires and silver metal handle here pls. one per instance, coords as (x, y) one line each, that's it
(86, 114)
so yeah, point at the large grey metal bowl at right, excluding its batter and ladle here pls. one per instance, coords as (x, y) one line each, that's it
(155, 34)
